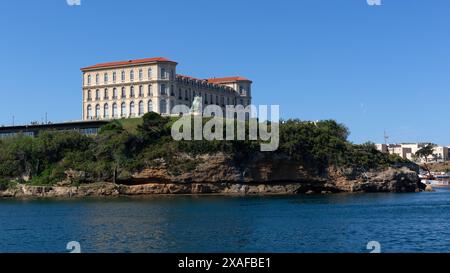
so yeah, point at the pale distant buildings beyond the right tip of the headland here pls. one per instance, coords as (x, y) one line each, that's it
(408, 151)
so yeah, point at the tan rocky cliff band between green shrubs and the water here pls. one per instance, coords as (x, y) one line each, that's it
(220, 174)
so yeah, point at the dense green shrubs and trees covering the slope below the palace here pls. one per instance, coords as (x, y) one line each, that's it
(125, 146)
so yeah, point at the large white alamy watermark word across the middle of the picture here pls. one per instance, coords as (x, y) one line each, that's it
(237, 123)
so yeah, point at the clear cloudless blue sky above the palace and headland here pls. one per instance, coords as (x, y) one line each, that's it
(371, 68)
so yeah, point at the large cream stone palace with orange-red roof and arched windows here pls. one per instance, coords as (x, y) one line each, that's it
(132, 88)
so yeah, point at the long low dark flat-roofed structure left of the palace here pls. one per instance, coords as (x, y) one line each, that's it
(84, 127)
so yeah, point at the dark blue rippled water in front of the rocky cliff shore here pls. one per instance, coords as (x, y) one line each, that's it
(335, 223)
